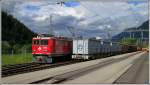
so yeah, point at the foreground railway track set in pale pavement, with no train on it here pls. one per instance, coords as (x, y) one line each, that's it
(76, 73)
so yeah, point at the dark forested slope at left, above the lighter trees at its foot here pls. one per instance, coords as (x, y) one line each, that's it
(14, 32)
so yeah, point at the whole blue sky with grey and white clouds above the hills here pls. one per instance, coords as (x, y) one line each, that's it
(86, 18)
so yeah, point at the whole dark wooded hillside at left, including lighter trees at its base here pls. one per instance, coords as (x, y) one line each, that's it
(15, 35)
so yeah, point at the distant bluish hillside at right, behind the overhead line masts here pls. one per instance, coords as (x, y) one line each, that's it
(137, 35)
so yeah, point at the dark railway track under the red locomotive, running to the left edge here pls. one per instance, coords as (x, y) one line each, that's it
(30, 67)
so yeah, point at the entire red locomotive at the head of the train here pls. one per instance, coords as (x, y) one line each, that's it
(47, 49)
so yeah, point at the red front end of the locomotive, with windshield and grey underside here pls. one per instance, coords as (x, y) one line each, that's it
(42, 49)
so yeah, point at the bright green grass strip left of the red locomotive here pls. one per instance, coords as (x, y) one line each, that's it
(16, 58)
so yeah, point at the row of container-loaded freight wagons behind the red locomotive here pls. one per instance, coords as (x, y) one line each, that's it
(92, 48)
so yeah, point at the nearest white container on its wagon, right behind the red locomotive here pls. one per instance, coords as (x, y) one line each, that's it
(84, 48)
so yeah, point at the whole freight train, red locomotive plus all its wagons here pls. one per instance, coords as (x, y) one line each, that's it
(48, 49)
